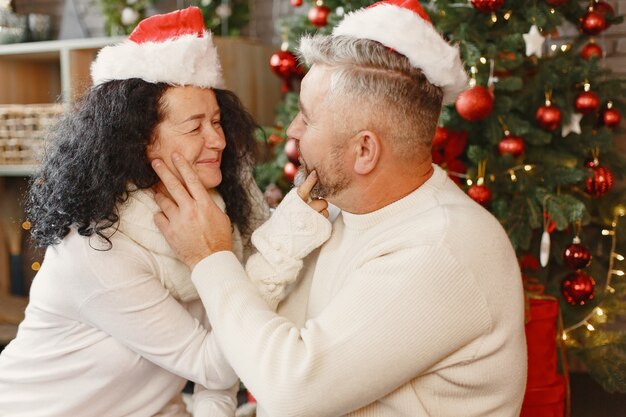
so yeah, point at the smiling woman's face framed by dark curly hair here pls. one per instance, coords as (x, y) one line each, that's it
(191, 127)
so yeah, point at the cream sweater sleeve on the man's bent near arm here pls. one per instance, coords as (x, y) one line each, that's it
(384, 309)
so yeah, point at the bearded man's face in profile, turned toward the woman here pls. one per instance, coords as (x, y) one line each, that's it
(321, 146)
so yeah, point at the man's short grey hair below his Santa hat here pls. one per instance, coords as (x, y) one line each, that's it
(388, 95)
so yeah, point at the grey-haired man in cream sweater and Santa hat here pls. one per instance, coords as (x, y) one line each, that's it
(414, 305)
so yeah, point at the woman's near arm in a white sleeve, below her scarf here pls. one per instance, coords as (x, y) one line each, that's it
(134, 308)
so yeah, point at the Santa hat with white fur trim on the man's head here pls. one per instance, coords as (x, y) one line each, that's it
(404, 26)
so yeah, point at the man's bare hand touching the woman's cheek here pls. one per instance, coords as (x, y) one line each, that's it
(192, 223)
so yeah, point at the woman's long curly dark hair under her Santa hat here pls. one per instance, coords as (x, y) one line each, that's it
(99, 148)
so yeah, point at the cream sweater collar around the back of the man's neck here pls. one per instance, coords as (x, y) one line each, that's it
(420, 197)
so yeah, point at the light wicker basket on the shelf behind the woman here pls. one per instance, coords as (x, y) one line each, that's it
(22, 130)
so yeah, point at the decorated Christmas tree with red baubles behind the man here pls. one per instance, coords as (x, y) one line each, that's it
(531, 140)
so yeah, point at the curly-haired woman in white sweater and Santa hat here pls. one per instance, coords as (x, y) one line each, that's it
(113, 326)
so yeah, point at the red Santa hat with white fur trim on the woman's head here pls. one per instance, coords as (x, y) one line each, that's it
(173, 48)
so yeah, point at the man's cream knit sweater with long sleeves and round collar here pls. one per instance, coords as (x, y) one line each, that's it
(415, 309)
